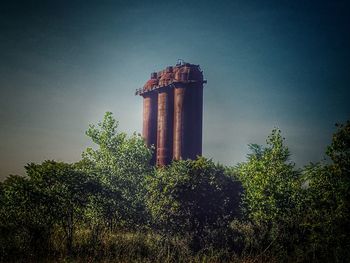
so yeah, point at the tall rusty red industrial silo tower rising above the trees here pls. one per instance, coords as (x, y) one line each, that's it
(173, 112)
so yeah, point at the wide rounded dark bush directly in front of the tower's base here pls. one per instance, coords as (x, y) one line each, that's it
(192, 198)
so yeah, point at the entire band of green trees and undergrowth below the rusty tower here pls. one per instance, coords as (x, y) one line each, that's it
(113, 205)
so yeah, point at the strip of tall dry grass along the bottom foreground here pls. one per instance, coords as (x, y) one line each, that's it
(124, 246)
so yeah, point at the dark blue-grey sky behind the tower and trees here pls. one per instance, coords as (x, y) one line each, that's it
(268, 64)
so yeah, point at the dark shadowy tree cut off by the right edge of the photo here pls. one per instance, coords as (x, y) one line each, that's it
(327, 202)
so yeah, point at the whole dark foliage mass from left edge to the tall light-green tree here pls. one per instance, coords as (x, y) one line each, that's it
(52, 194)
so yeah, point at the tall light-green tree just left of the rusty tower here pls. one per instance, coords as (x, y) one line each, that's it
(120, 163)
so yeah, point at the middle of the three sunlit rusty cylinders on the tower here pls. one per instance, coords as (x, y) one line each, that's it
(162, 130)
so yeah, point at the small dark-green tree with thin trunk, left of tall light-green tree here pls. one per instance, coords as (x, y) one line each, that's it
(65, 192)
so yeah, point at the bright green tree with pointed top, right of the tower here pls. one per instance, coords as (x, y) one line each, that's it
(269, 181)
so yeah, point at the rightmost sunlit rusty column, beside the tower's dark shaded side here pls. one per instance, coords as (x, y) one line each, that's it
(179, 123)
